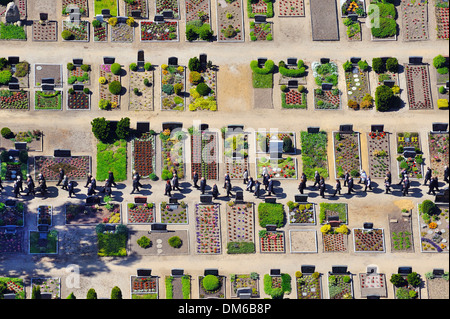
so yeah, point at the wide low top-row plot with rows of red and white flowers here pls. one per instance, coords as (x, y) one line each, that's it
(161, 31)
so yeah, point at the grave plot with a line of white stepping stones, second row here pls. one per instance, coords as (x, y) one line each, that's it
(357, 81)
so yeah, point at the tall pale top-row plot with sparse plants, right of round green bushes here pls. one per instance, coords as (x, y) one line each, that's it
(230, 21)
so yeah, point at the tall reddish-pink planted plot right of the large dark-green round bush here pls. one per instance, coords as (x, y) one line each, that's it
(418, 87)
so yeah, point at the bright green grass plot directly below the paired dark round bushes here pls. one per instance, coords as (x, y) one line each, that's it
(112, 157)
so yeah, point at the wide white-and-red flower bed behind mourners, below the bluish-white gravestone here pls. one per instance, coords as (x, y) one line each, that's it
(277, 169)
